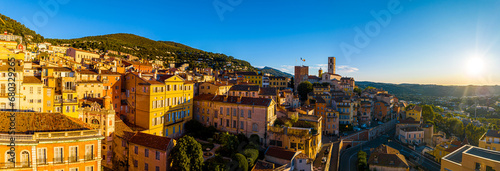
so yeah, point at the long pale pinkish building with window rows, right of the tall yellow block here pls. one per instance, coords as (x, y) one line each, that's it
(236, 114)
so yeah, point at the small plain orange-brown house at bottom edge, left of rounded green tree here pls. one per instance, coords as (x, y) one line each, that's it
(149, 152)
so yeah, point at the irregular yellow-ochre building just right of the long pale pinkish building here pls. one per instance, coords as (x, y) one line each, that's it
(304, 135)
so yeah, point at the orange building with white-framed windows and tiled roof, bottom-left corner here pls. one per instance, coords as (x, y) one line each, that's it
(50, 141)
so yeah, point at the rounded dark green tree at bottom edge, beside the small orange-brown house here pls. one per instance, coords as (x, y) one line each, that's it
(187, 155)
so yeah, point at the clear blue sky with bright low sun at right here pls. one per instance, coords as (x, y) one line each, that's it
(447, 42)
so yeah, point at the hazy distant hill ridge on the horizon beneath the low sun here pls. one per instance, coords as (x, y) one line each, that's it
(402, 90)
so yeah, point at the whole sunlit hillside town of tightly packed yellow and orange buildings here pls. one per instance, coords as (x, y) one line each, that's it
(78, 109)
